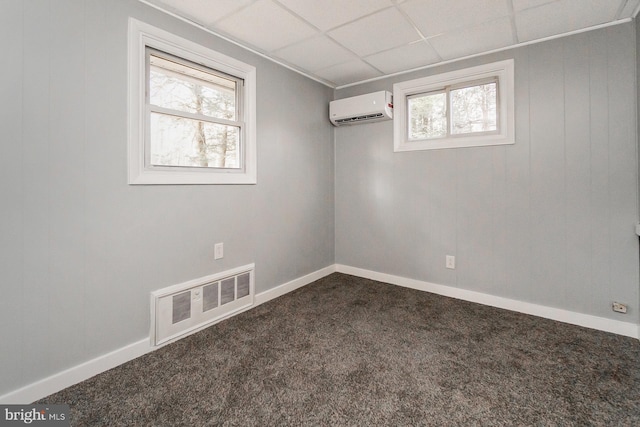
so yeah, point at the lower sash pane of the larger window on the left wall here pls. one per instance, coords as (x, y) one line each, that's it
(177, 141)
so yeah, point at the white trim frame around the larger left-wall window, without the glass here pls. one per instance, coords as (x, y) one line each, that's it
(142, 35)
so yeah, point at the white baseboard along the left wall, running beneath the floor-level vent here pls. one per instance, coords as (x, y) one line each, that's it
(86, 370)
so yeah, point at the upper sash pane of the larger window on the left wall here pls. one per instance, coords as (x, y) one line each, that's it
(180, 87)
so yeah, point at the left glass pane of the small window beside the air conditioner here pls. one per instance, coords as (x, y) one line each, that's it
(427, 116)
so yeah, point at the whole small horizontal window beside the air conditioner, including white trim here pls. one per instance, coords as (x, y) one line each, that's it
(465, 108)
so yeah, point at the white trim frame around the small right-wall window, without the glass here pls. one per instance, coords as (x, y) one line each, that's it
(503, 70)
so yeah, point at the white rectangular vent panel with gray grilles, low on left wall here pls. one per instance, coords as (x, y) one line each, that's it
(185, 308)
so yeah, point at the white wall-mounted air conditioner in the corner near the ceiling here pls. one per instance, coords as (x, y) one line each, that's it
(372, 107)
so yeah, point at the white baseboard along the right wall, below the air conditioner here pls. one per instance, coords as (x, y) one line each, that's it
(565, 316)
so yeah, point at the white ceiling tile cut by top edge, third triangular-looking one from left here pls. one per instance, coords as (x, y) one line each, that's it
(439, 16)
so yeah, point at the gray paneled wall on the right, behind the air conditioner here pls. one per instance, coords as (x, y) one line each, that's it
(549, 220)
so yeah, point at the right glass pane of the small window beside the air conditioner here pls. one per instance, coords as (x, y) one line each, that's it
(473, 109)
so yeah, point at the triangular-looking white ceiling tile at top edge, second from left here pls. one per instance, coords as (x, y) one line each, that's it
(329, 14)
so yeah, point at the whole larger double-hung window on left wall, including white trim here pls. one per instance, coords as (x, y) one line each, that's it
(192, 112)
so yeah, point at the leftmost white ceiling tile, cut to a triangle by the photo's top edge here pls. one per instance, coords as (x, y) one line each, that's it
(201, 11)
